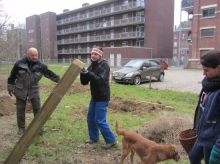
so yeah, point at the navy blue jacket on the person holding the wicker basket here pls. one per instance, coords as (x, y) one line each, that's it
(207, 123)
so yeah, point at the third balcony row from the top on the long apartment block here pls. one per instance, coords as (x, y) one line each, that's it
(118, 36)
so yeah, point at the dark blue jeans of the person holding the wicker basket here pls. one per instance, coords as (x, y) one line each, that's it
(198, 153)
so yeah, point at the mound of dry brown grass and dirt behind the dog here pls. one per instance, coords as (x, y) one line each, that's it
(165, 129)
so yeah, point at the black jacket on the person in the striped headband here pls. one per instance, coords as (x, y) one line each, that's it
(98, 76)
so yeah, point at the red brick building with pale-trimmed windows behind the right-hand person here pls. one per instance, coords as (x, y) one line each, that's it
(203, 26)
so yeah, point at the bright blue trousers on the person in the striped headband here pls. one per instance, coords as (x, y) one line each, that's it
(96, 120)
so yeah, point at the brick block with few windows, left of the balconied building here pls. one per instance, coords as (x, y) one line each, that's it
(41, 34)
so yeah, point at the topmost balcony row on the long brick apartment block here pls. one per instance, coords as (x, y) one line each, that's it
(104, 12)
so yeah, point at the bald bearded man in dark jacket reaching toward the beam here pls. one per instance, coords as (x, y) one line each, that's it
(23, 83)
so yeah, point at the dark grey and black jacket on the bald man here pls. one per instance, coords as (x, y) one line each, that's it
(24, 78)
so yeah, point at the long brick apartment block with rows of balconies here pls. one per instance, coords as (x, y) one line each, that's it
(124, 28)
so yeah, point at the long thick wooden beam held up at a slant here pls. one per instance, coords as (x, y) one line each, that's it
(44, 113)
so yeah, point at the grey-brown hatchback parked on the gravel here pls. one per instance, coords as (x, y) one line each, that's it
(137, 71)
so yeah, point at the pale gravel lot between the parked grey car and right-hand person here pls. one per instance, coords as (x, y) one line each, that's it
(178, 79)
